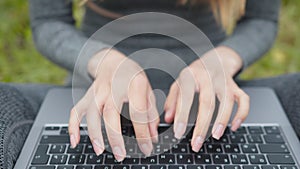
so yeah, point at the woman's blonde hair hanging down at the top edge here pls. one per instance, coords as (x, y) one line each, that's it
(226, 12)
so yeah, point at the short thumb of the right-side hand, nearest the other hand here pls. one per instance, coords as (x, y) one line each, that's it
(170, 105)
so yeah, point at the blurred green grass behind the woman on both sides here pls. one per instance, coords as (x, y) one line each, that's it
(20, 61)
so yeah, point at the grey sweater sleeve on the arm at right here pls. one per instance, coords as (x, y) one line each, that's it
(256, 30)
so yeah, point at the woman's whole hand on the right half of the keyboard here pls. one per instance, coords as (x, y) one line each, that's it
(211, 76)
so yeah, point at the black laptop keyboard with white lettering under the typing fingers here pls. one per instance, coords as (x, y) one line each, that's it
(251, 147)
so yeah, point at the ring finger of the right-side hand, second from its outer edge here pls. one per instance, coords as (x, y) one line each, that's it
(224, 113)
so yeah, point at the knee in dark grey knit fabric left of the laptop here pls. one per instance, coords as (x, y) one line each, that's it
(19, 105)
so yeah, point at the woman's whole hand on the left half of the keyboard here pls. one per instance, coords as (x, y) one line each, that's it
(117, 79)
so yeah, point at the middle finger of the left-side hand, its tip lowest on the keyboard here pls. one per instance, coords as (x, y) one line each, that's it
(111, 117)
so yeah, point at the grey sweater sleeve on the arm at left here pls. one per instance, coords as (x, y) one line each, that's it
(56, 36)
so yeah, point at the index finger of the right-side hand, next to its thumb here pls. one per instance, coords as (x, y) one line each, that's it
(184, 102)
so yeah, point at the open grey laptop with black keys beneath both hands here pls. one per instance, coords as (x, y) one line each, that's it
(266, 140)
